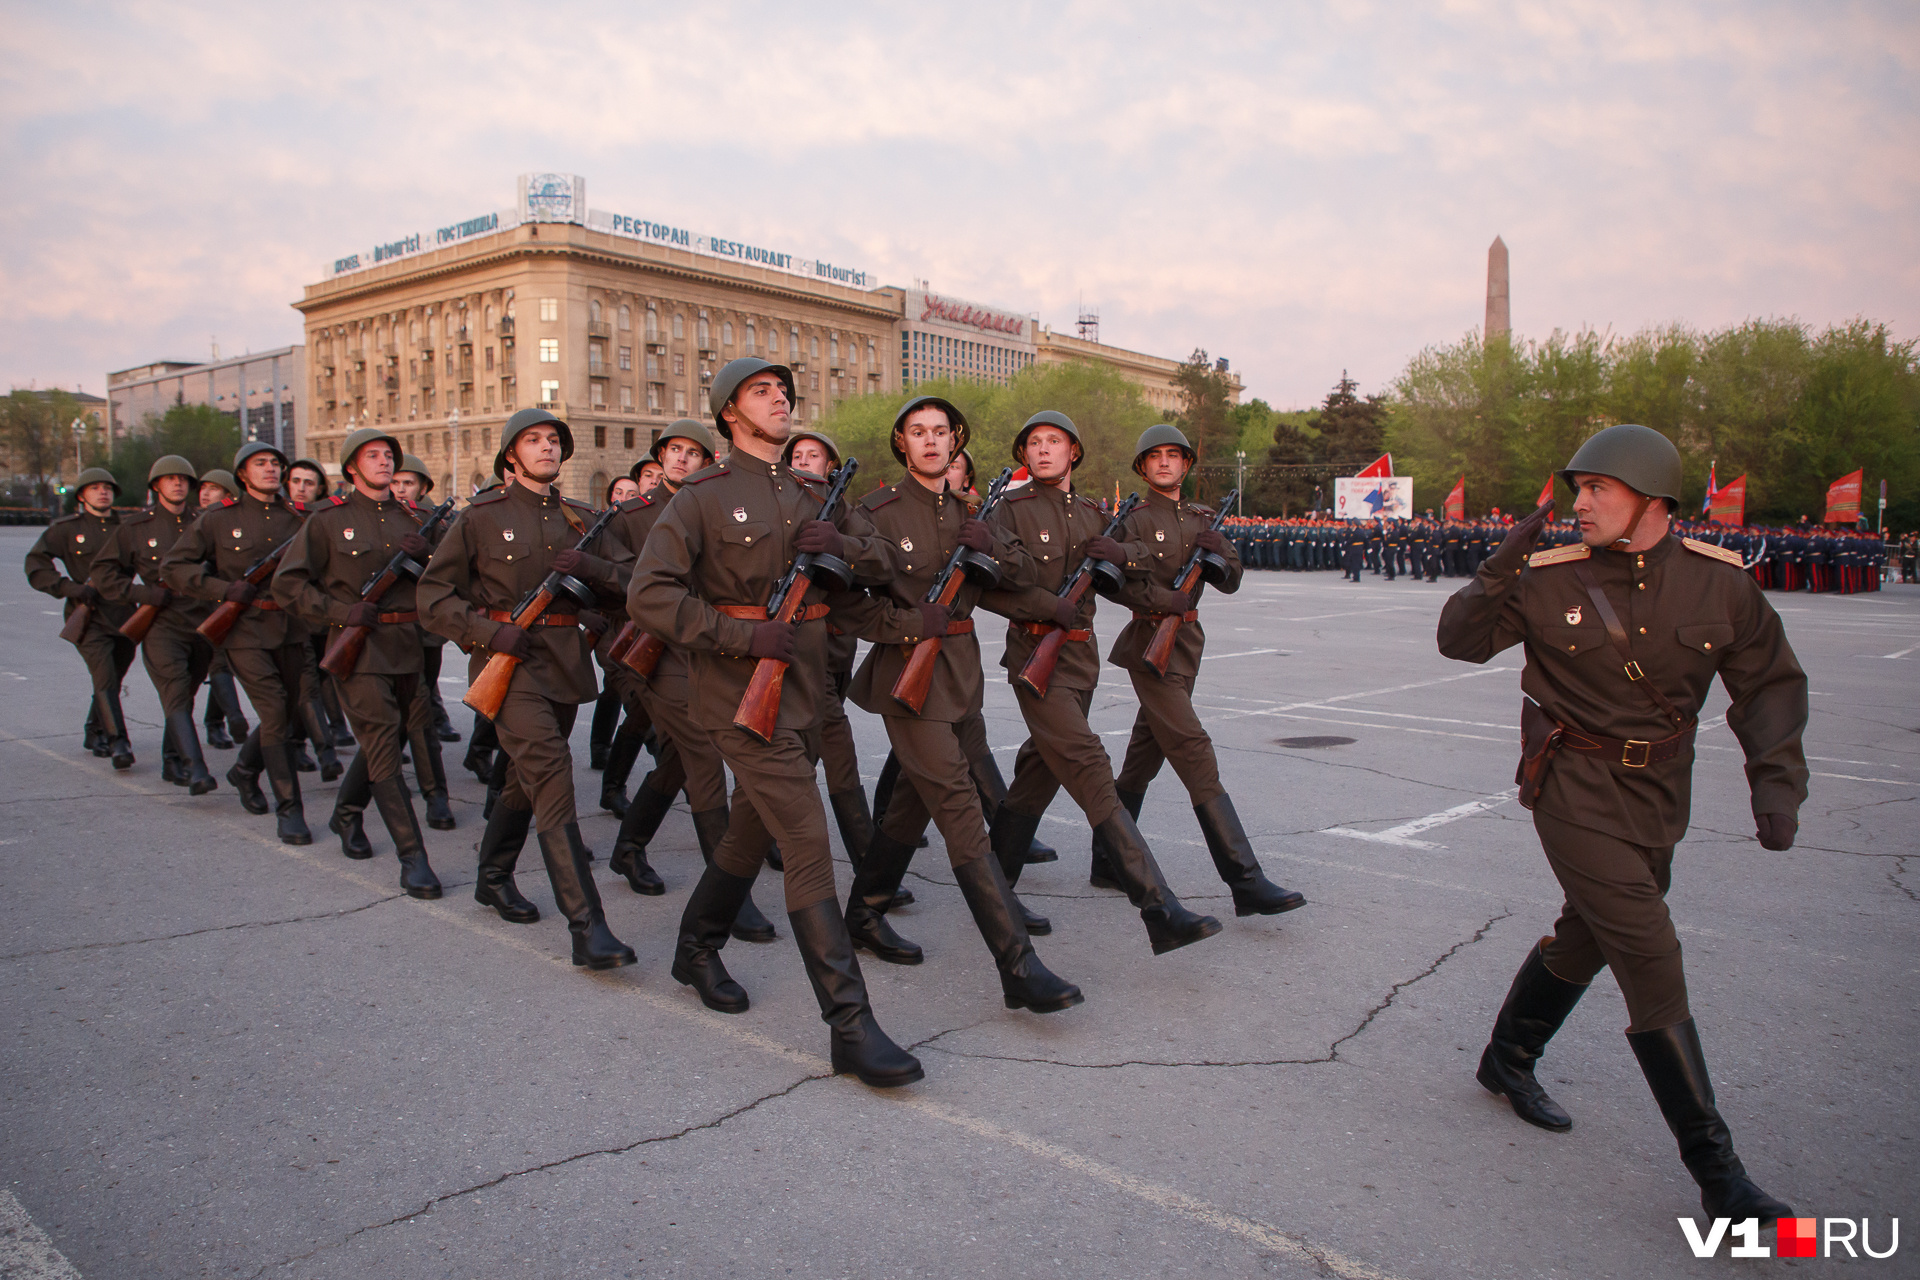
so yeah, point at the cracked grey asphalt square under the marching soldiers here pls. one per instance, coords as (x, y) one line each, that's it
(235, 1058)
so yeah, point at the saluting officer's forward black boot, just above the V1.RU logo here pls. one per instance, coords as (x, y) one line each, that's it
(1677, 1074)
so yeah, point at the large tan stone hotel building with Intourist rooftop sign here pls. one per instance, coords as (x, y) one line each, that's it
(613, 323)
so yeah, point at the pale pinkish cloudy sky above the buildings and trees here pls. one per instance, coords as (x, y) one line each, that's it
(1297, 187)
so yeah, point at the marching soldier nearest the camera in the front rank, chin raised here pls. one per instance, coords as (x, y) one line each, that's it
(704, 582)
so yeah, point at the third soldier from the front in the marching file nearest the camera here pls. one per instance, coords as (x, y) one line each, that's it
(343, 544)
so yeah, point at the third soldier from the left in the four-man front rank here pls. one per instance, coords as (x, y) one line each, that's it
(1061, 529)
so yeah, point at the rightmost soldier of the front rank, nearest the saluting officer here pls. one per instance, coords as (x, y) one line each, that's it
(1159, 542)
